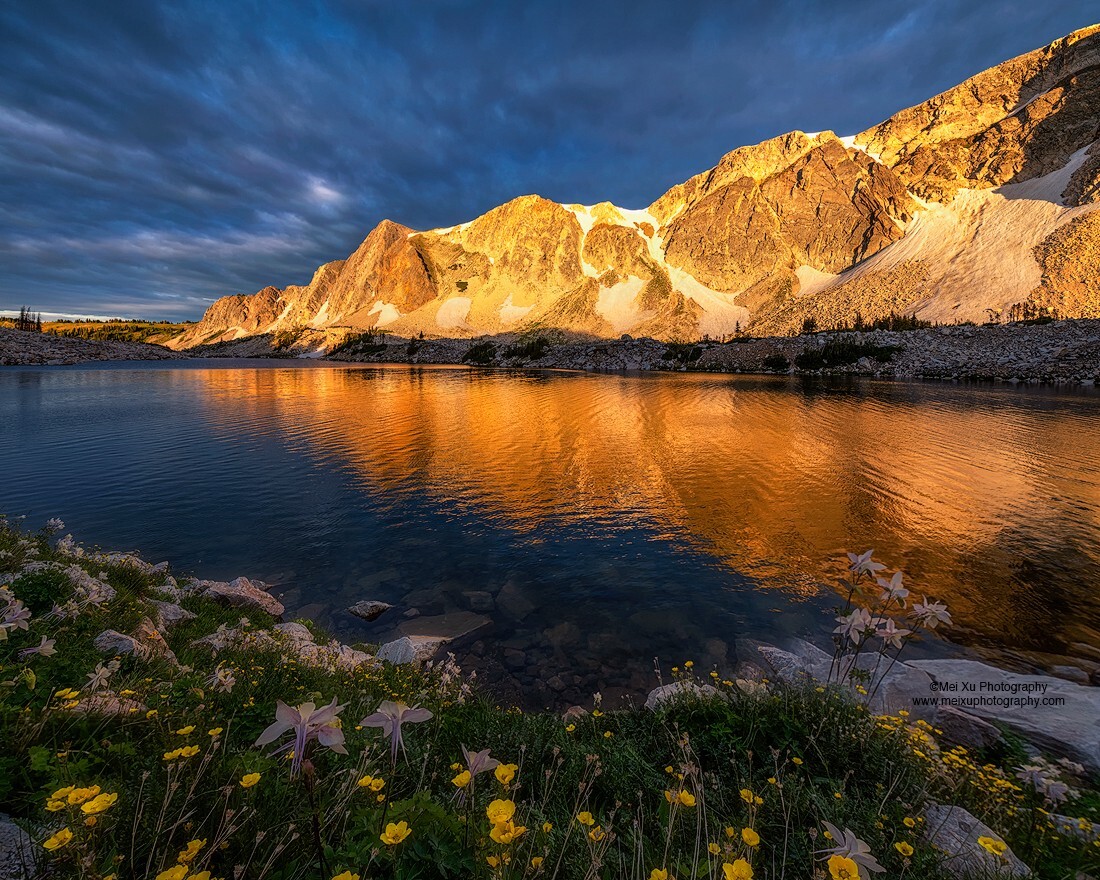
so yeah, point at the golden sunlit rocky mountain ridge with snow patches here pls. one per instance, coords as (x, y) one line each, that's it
(954, 211)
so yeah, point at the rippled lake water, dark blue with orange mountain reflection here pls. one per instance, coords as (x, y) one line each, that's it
(613, 519)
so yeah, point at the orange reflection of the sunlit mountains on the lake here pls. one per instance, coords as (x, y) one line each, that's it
(977, 494)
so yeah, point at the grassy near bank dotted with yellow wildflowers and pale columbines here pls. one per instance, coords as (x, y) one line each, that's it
(145, 764)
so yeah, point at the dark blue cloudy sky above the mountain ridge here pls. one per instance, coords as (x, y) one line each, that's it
(156, 157)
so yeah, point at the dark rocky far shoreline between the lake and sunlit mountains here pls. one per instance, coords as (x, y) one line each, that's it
(1059, 353)
